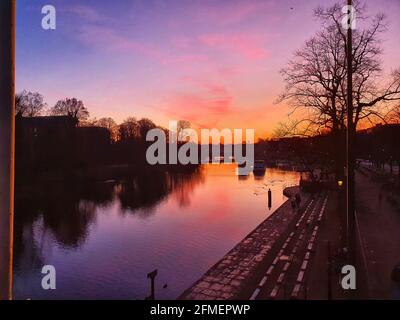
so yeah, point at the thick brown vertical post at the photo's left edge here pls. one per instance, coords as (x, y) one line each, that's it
(7, 134)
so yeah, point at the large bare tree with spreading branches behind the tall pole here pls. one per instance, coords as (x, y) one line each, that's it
(316, 76)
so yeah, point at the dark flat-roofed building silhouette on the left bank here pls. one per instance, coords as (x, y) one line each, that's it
(56, 142)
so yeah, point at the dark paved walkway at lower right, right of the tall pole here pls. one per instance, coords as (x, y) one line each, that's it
(380, 232)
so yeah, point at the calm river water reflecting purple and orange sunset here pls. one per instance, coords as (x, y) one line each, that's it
(104, 238)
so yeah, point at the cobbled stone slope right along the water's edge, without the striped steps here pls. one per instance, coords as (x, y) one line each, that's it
(234, 275)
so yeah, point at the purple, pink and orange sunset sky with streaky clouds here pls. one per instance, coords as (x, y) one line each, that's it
(214, 63)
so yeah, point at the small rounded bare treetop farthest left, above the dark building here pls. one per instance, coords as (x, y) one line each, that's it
(29, 104)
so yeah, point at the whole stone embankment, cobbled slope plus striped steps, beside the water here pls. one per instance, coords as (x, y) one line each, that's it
(273, 261)
